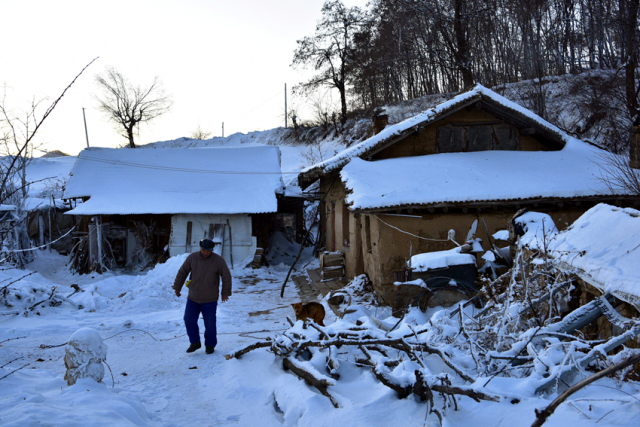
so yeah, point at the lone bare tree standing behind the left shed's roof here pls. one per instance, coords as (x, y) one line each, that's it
(127, 105)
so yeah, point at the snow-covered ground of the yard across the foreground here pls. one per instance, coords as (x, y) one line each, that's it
(156, 383)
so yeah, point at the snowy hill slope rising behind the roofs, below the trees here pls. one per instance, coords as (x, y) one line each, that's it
(589, 106)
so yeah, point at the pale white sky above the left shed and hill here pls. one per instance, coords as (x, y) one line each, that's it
(221, 61)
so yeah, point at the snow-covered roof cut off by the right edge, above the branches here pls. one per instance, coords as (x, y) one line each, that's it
(604, 245)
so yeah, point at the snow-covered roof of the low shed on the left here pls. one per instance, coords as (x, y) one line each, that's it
(176, 180)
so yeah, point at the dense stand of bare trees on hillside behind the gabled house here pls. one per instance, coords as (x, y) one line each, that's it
(396, 51)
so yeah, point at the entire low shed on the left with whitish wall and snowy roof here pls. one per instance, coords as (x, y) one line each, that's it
(150, 202)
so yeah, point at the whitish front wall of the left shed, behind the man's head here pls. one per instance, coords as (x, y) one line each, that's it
(244, 245)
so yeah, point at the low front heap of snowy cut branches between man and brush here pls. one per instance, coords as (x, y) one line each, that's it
(396, 361)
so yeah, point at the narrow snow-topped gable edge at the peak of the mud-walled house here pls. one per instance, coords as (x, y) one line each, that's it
(404, 128)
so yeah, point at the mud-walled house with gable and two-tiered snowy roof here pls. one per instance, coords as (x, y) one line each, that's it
(477, 156)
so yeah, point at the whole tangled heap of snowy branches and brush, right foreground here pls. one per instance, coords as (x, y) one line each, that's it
(526, 330)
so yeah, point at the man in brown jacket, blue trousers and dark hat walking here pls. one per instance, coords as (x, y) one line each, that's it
(206, 268)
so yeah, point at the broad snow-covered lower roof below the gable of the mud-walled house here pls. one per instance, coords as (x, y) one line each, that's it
(481, 176)
